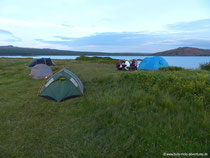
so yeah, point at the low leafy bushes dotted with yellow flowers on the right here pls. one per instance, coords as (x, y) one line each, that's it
(178, 84)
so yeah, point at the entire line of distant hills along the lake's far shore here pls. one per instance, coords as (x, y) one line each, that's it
(18, 51)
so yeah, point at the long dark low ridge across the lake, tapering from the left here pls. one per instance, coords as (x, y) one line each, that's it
(18, 51)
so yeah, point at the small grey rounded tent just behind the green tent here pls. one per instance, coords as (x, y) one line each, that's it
(40, 71)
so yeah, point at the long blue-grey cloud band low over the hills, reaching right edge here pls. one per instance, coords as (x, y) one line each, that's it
(128, 42)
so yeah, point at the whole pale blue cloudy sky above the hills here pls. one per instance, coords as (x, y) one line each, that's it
(145, 26)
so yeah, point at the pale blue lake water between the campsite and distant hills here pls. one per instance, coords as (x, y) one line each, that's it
(188, 62)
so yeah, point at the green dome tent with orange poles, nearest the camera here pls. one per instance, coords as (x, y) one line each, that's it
(62, 85)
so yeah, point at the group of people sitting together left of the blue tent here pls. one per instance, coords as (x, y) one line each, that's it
(126, 65)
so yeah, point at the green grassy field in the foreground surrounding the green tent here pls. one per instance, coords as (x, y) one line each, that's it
(123, 114)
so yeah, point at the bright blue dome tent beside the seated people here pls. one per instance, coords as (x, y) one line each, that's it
(152, 63)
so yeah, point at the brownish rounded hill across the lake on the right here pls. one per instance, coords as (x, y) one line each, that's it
(184, 51)
